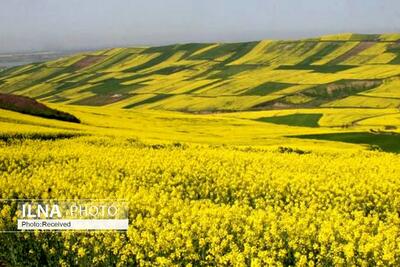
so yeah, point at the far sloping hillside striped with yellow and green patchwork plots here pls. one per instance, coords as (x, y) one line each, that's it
(346, 70)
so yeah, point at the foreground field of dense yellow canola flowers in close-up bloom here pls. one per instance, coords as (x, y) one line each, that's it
(197, 205)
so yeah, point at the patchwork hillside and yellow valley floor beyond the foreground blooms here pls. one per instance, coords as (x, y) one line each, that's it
(338, 88)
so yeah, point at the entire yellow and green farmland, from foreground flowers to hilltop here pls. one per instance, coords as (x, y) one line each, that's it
(267, 153)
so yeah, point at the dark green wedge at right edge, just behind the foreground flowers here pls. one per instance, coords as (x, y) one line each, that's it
(389, 142)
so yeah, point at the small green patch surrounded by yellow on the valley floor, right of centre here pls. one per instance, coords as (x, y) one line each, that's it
(302, 120)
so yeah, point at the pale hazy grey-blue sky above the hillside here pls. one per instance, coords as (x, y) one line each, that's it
(75, 24)
